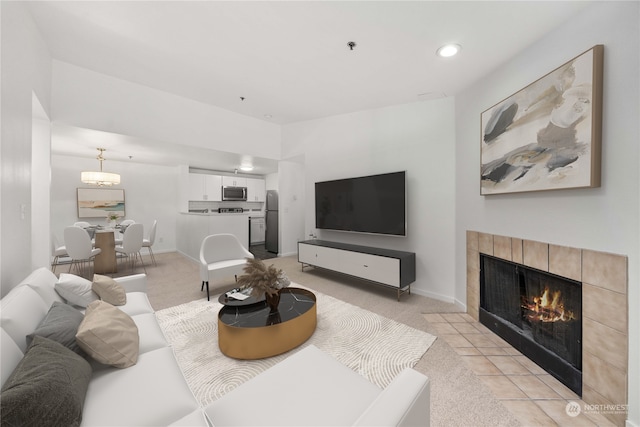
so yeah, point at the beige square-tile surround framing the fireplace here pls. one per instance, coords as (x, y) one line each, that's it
(605, 328)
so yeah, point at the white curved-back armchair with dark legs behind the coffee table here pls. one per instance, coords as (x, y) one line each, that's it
(221, 255)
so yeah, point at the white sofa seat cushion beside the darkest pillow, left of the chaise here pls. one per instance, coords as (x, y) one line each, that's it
(153, 392)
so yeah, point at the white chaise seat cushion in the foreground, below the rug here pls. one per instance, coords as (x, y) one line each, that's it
(307, 373)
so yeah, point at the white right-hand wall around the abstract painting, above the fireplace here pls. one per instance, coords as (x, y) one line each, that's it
(604, 219)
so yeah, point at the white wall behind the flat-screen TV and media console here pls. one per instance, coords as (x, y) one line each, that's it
(418, 138)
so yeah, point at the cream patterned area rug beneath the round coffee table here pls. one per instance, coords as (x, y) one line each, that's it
(374, 346)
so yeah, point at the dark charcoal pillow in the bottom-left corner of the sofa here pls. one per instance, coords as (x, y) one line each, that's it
(48, 387)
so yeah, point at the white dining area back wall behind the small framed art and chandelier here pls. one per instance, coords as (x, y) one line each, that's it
(151, 193)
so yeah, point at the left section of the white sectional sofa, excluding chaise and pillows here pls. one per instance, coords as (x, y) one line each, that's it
(153, 392)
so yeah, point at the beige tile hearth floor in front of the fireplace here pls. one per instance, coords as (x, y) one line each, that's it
(533, 396)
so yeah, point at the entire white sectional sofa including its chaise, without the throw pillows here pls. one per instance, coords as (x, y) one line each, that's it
(308, 388)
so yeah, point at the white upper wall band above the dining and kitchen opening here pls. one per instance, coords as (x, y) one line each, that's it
(87, 99)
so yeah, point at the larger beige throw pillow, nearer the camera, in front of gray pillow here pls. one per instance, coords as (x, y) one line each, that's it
(109, 335)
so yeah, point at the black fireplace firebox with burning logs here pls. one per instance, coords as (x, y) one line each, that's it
(538, 313)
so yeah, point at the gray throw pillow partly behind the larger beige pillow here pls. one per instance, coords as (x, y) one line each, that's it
(60, 325)
